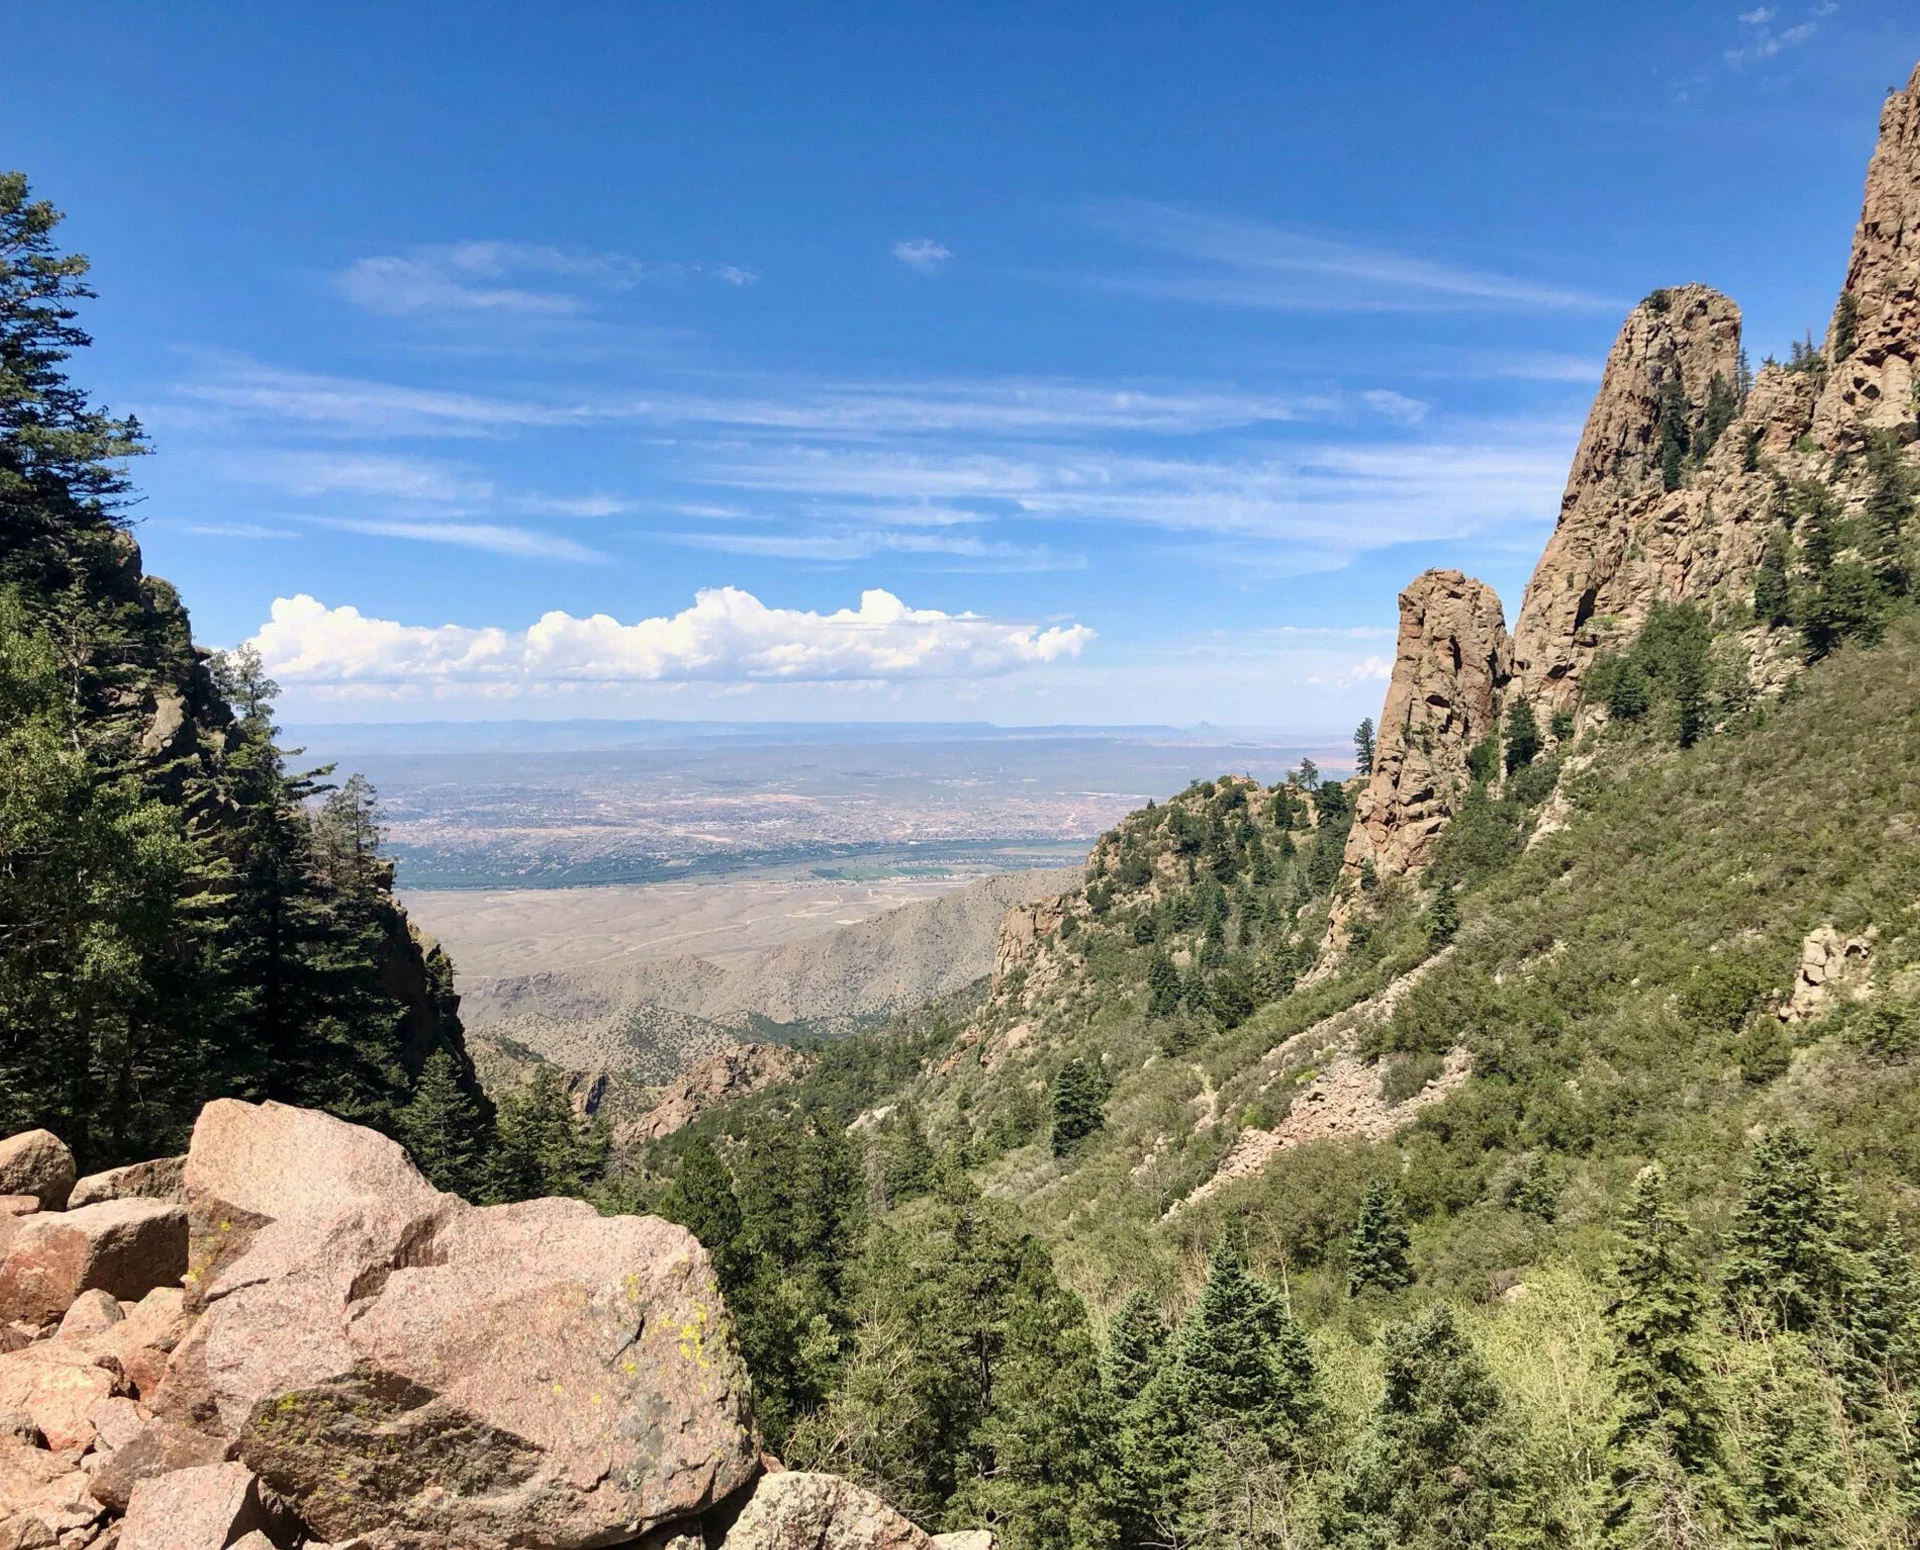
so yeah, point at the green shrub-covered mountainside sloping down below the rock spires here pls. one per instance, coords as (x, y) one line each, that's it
(1618, 990)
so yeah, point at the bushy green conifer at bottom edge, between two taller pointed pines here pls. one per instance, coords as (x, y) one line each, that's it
(1439, 1457)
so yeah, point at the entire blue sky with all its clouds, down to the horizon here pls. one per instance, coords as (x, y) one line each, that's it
(1038, 364)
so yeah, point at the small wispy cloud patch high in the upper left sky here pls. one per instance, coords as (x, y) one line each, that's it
(506, 278)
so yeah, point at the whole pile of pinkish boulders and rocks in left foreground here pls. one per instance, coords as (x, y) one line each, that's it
(289, 1338)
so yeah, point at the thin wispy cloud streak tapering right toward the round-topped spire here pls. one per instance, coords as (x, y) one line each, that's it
(1253, 264)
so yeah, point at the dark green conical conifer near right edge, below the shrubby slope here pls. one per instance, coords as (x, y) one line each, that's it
(1787, 1257)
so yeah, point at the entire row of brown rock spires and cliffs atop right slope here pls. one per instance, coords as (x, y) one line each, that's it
(1673, 493)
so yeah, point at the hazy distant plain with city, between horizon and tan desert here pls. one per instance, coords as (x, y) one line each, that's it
(571, 804)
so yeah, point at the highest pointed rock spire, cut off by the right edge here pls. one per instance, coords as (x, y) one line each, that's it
(1875, 339)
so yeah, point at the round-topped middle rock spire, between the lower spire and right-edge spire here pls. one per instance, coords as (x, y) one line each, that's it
(1656, 393)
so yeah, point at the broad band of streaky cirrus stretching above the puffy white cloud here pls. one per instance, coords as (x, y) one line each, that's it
(844, 472)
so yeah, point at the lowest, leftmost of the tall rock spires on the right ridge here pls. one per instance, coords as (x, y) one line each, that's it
(1443, 700)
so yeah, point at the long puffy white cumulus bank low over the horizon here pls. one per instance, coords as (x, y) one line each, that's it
(727, 637)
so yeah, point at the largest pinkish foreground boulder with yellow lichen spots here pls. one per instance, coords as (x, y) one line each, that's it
(395, 1361)
